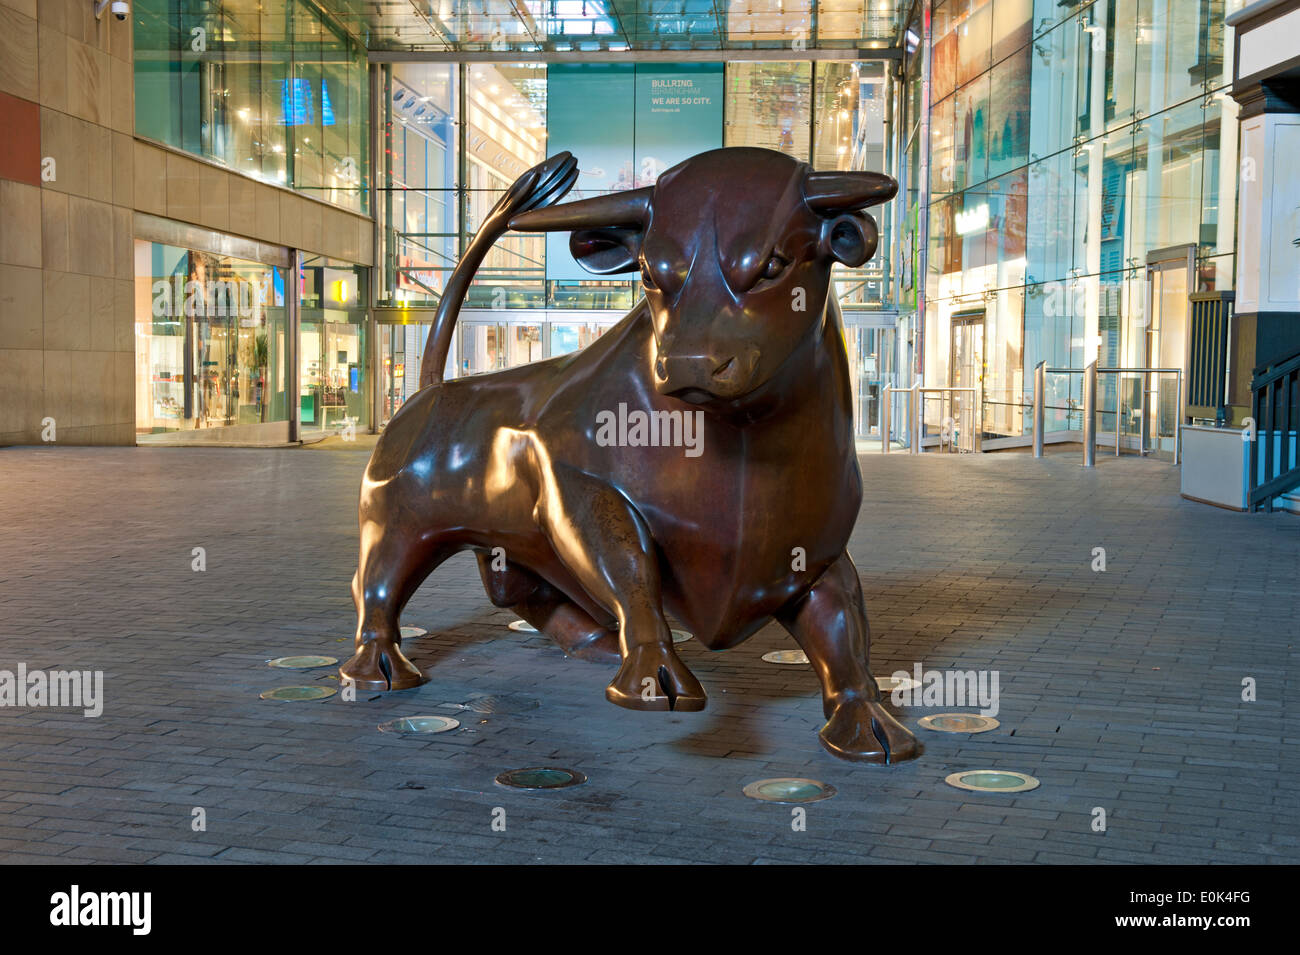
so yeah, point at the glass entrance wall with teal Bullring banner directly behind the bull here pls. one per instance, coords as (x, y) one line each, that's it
(530, 301)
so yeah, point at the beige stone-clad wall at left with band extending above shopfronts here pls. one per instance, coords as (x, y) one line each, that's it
(67, 245)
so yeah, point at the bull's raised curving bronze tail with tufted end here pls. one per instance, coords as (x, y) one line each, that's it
(543, 185)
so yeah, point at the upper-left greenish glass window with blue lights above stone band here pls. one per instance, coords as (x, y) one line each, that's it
(271, 89)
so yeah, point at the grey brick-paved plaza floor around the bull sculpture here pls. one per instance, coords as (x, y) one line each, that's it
(1121, 689)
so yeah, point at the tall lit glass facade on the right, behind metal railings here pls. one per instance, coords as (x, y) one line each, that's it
(1071, 149)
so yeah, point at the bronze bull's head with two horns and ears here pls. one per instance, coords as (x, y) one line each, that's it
(735, 249)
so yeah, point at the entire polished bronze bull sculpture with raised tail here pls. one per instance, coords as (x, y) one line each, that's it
(586, 523)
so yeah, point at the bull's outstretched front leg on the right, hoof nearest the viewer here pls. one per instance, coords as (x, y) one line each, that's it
(830, 623)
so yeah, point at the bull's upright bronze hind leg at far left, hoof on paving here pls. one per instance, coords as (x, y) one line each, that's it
(392, 567)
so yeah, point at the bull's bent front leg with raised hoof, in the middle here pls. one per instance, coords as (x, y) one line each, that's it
(606, 546)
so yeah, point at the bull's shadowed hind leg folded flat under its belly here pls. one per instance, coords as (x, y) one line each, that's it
(551, 611)
